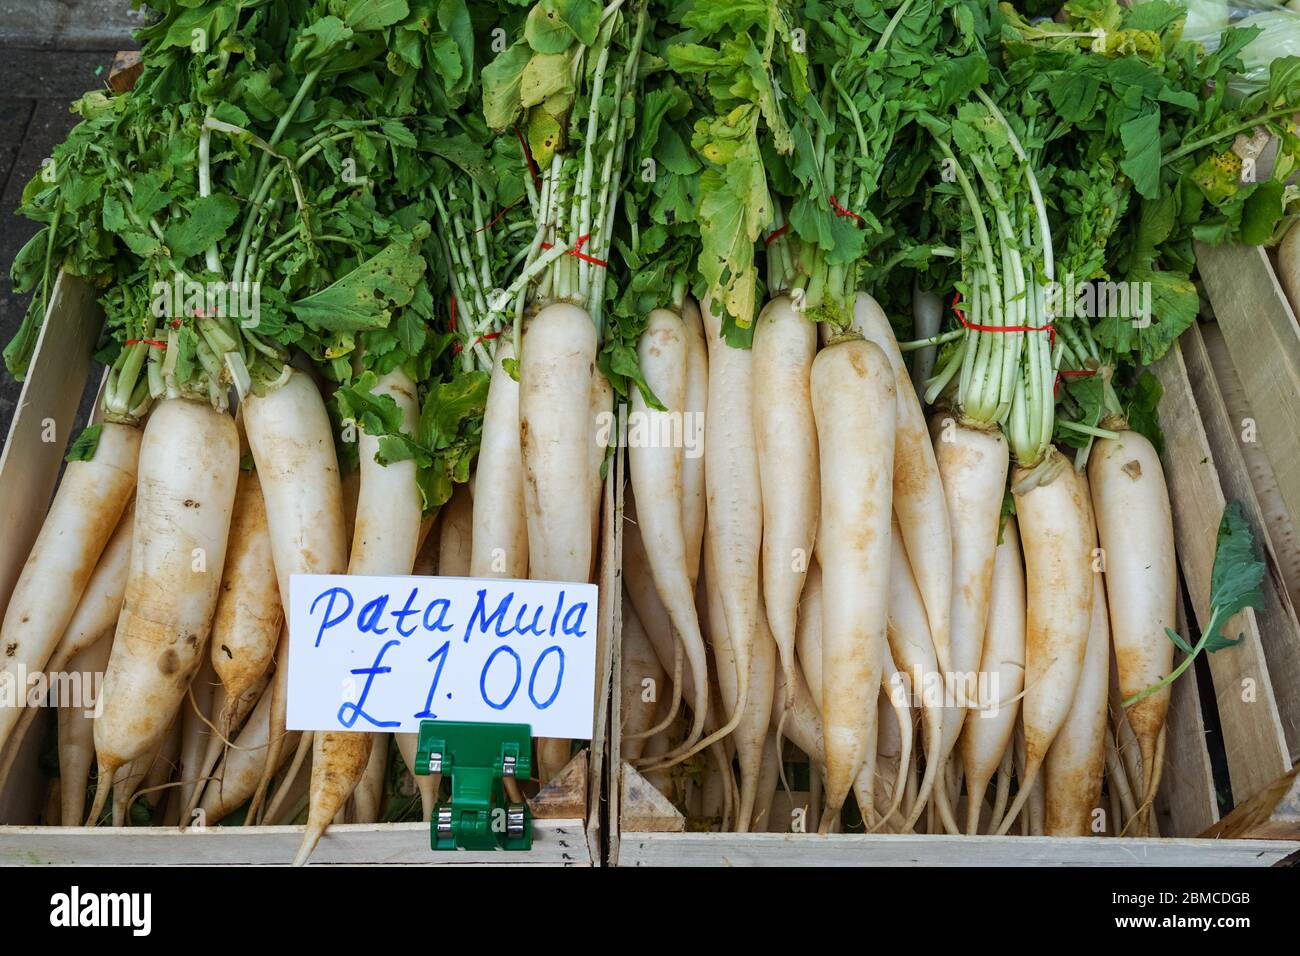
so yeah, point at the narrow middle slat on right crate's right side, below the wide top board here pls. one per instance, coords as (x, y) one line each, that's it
(1280, 633)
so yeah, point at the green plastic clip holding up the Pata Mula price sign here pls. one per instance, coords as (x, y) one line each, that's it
(478, 758)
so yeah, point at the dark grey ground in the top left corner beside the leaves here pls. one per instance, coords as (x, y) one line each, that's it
(51, 51)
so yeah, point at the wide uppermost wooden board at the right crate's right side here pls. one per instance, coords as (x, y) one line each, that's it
(1264, 340)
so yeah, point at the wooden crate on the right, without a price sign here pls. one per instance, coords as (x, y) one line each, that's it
(1232, 422)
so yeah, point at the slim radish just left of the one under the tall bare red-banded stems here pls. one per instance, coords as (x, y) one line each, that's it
(987, 734)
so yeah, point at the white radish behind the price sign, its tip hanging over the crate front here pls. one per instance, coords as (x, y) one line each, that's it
(384, 543)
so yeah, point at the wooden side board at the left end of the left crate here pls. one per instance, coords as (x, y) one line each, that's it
(29, 466)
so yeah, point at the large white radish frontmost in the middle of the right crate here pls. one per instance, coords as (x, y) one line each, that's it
(855, 406)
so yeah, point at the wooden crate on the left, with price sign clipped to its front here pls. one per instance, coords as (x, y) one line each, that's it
(567, 824)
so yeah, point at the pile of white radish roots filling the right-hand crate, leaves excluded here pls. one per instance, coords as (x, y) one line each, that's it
(837, 573)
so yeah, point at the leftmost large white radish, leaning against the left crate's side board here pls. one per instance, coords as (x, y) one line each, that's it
(81, 520)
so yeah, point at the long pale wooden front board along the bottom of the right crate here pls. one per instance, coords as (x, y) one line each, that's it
(851, 850)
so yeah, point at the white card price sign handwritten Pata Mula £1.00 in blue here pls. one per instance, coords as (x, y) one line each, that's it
(387, 654)
